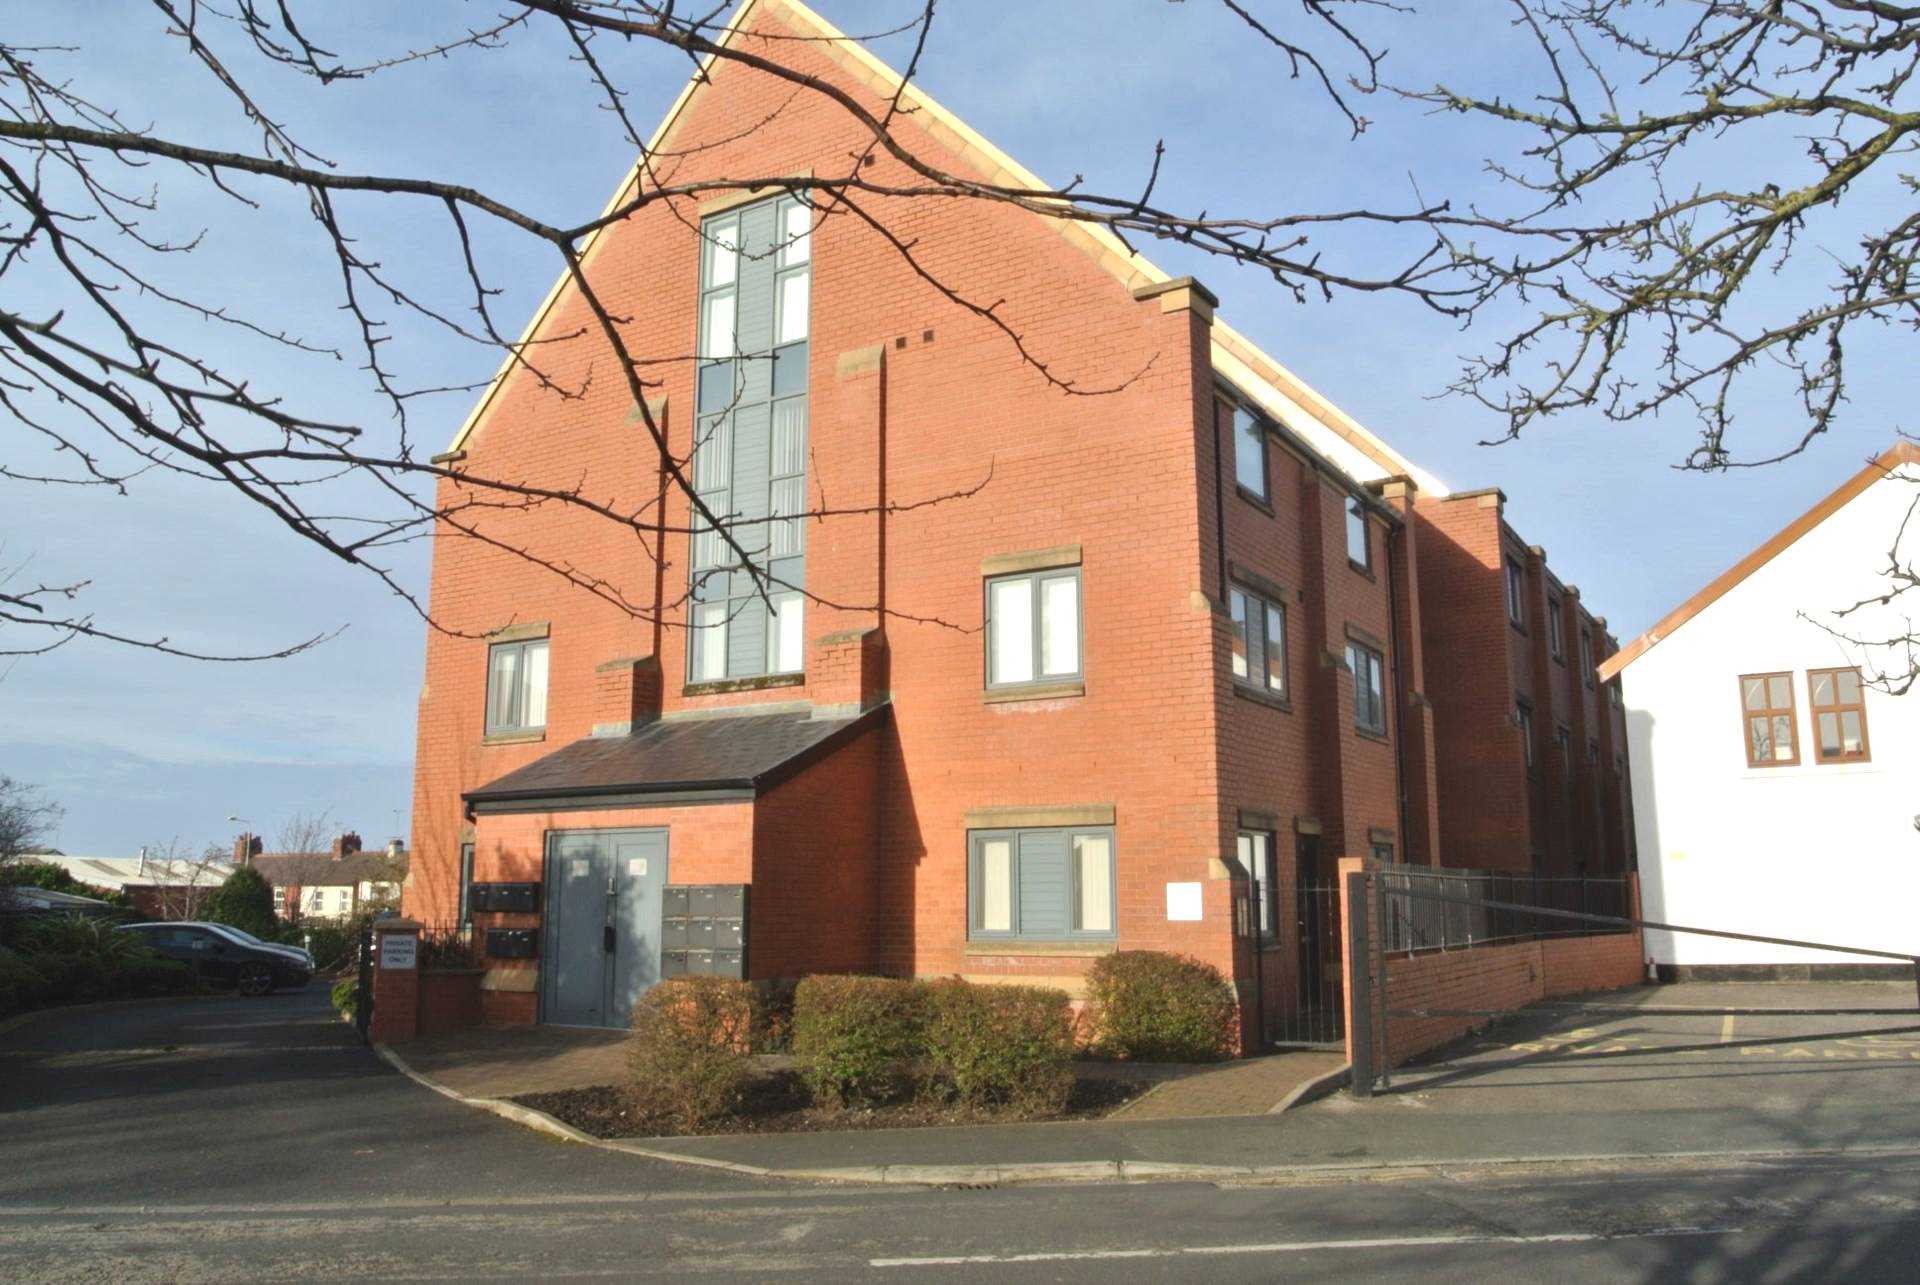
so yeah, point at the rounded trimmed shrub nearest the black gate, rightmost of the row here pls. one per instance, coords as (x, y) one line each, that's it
(1157, 1007)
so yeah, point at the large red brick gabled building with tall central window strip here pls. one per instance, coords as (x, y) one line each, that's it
(1059, 673)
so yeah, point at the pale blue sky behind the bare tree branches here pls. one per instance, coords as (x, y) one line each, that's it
(149, 750)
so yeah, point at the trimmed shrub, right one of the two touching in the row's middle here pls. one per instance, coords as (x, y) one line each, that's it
(1001, 1046)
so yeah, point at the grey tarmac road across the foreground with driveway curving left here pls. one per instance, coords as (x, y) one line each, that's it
(256, 1140)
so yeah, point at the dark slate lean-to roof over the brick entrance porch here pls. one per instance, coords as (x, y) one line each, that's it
(715, 758)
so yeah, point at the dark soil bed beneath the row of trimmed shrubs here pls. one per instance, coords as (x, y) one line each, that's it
(779, 1103)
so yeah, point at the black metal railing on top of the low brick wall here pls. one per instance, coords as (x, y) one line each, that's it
(1447, 909)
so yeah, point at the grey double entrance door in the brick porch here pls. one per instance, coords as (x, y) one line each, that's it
(602, 938)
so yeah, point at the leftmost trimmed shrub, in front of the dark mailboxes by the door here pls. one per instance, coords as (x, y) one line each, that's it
(690, 1050)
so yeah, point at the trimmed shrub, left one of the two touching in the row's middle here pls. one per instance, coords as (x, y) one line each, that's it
(855, 1036)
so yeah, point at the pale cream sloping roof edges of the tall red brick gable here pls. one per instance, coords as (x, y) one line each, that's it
(1237, 358)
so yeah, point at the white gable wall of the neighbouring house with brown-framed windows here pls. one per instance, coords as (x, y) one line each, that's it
(1817, 854)
